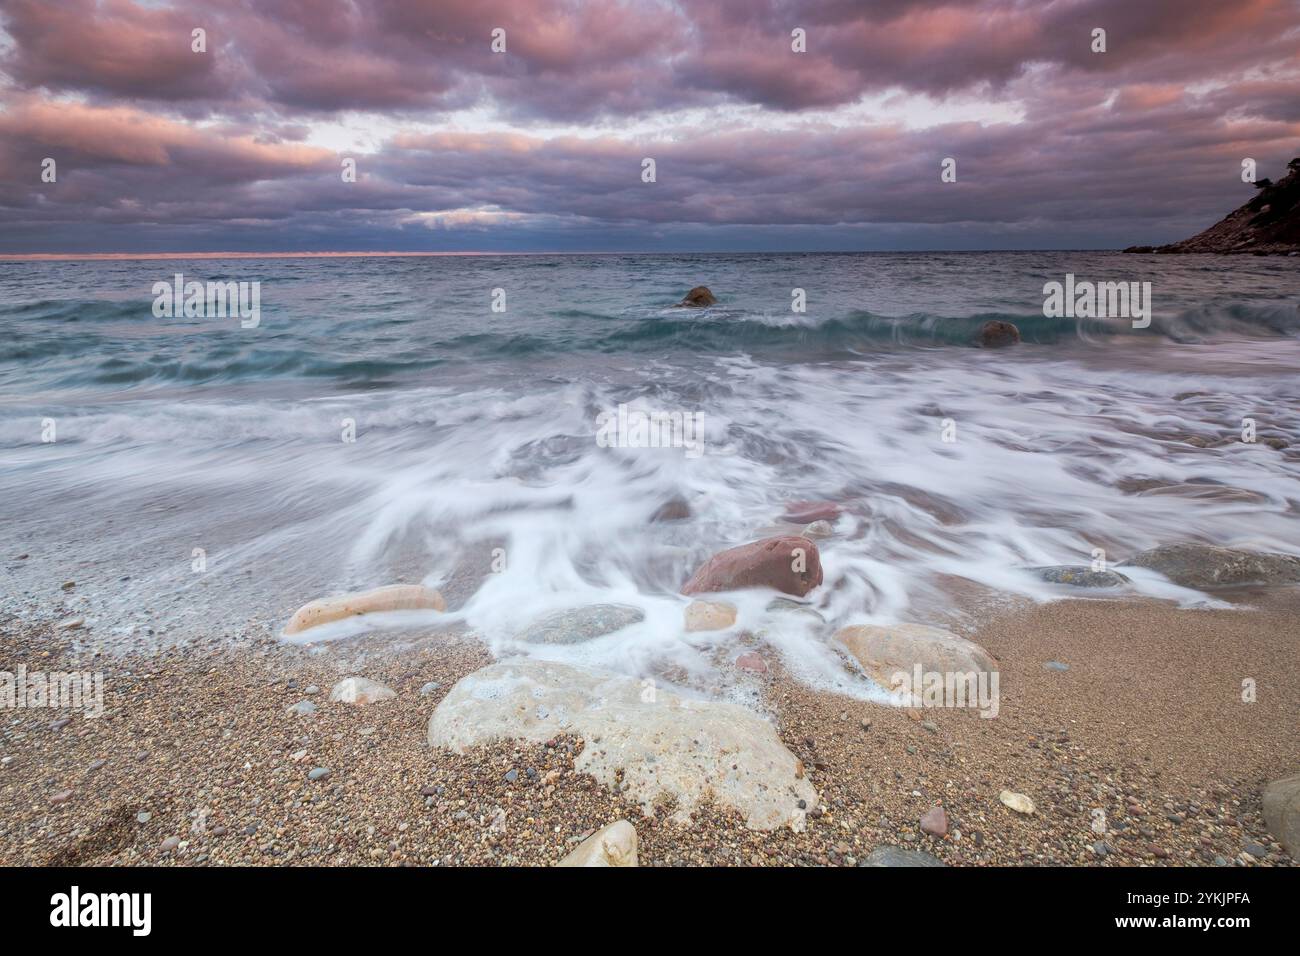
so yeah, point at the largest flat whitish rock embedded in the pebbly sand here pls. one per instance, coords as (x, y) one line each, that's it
(664, 745)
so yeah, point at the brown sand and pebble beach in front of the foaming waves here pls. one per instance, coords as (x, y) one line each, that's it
(1147, 726)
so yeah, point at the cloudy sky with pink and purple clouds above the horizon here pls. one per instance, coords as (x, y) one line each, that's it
(757, 146)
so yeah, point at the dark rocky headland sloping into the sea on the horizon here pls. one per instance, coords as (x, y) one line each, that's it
(1269, 224)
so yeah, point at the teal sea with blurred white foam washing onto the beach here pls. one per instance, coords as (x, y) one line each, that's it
(469, 422)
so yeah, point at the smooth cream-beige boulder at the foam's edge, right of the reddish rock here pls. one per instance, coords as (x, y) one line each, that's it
(887, 651)
